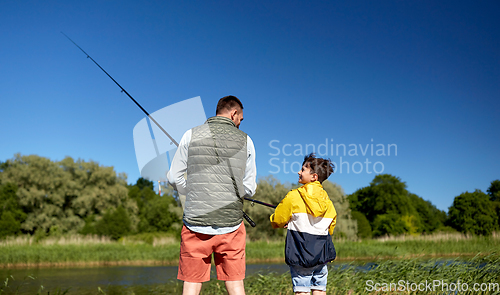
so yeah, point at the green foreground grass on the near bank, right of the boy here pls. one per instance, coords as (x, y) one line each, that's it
(407, 272)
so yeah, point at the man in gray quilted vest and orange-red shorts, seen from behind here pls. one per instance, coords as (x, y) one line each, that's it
(220, 163)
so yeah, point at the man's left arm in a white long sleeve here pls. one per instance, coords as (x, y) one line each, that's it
(179, 165)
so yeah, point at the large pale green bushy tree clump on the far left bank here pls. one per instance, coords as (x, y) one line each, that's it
(60, 195)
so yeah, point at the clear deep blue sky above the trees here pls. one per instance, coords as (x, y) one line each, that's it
(421, 75)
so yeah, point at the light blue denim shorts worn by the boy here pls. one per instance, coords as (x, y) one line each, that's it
(307, 279)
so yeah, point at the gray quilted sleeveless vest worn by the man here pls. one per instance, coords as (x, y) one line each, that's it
(215, 169)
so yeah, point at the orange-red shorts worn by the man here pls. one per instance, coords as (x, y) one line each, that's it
(196, 255)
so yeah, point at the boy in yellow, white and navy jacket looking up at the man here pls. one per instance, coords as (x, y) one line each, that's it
(310, 217)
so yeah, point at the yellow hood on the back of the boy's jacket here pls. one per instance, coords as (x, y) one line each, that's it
(315, 198)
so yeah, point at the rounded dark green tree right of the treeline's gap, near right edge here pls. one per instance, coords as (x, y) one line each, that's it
(473, 213)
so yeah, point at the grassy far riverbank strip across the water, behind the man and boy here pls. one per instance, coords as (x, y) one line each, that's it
(90, 251)
